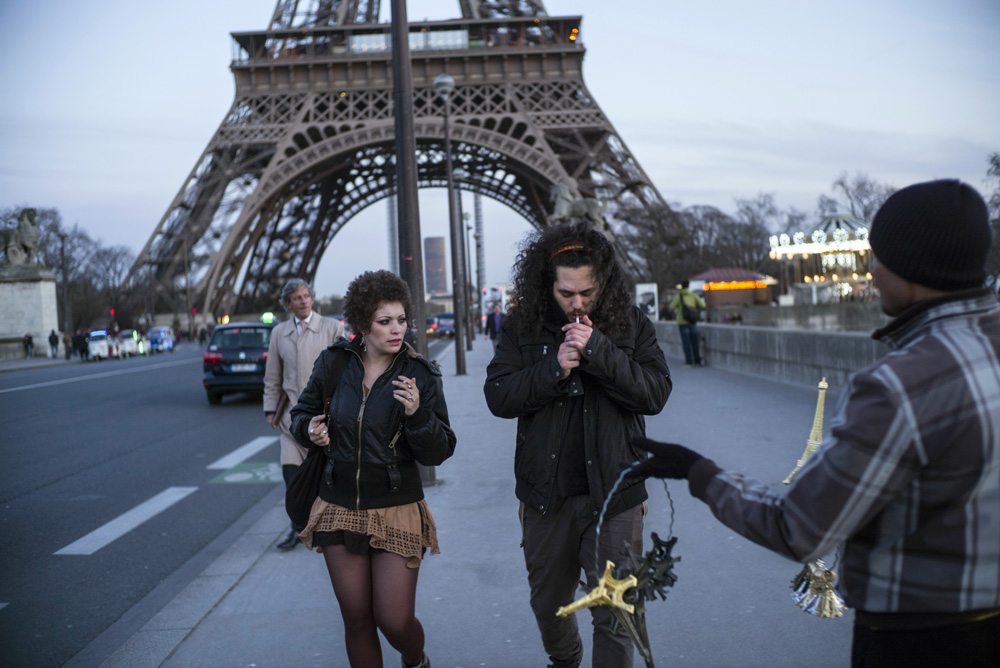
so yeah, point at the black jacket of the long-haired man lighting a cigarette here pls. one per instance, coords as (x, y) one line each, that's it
(620, 381)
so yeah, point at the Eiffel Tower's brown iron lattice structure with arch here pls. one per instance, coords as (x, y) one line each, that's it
(308, 141)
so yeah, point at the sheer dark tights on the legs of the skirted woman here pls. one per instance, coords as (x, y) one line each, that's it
(376, 592)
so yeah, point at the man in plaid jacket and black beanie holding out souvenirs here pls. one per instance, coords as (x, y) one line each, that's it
(907, 482)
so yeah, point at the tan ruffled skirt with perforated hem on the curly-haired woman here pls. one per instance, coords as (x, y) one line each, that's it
(406, 530)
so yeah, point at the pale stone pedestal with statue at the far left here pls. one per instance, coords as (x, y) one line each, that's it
(27, 291)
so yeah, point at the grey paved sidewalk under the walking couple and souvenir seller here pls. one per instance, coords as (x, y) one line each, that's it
(257, 606)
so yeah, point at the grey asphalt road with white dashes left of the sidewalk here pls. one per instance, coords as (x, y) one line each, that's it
(117, 476)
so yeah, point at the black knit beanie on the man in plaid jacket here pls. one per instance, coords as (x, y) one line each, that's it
(936, 234)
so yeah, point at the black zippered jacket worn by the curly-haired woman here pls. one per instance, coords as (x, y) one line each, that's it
(374, 447)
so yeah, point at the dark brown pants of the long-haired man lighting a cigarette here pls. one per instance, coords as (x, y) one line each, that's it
(556, 546)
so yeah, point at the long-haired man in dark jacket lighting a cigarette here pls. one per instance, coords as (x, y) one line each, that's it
(578, 366)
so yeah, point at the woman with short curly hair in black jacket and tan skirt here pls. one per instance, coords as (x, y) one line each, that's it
(385, 415)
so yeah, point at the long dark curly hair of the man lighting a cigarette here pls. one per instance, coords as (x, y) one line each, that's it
(573, 245)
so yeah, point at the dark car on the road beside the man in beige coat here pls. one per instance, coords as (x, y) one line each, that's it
(235, 359)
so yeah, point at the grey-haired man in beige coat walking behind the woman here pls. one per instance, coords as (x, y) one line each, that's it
(295, 345)
